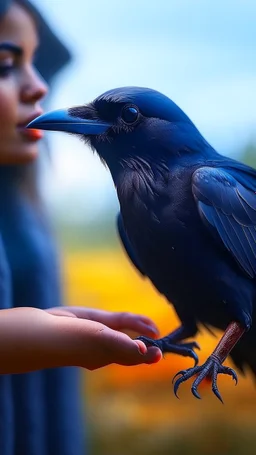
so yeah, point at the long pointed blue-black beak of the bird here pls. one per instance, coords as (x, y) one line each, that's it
(61, 120)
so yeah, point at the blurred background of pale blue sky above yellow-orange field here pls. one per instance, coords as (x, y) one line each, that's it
(202, 55)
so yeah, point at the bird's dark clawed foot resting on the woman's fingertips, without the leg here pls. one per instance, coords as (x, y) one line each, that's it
(165, 345)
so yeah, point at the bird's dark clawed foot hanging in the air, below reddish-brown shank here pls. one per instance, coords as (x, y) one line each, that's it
(212, 367)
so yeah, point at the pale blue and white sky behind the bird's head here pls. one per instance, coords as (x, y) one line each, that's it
(199, 53)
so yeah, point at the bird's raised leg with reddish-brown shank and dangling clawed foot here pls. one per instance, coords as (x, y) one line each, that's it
(213, 365)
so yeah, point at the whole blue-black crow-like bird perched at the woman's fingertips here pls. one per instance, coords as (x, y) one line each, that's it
(187, 218)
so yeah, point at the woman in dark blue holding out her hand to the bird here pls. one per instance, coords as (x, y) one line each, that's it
(40, 411)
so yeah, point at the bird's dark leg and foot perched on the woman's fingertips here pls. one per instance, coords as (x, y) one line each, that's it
(171, 342)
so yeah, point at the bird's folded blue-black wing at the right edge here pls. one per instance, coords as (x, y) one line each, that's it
(228, 209)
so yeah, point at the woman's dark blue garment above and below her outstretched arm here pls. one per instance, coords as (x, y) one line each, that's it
(43, 409)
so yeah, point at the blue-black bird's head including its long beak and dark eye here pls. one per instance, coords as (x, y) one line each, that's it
(126, 124)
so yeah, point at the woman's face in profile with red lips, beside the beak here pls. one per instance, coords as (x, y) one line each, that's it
(21, 88)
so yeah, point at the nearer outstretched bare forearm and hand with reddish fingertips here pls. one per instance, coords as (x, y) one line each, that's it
(32, 339)
